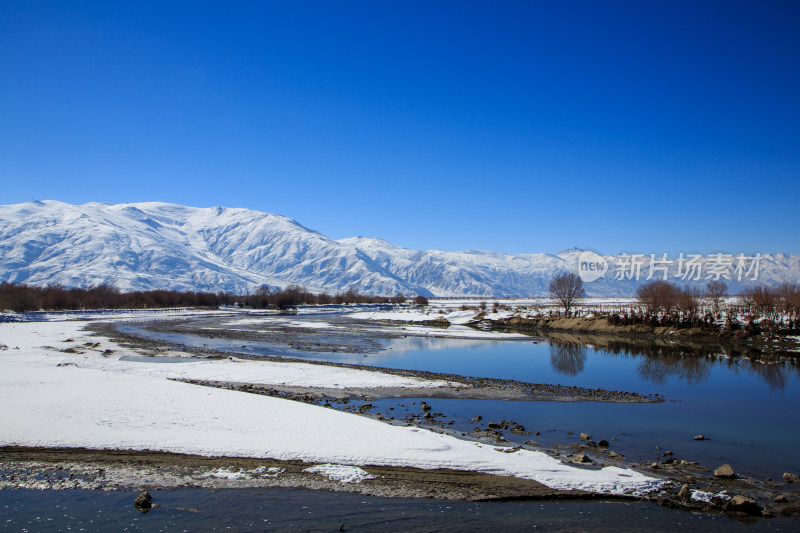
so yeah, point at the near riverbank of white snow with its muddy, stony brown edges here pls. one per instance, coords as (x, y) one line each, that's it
(72, 391)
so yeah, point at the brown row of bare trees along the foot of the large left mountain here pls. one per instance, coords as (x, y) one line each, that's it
(23, 298)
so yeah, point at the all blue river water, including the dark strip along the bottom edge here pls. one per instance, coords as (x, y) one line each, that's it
(748, 411)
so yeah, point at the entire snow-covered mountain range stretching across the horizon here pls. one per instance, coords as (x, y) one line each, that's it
(165, 246)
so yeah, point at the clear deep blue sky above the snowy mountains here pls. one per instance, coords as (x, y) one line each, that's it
(520, 127)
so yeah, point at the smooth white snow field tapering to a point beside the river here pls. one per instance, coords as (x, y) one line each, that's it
(56, 399)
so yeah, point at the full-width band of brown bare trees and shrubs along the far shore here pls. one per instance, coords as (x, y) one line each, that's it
(659, 308)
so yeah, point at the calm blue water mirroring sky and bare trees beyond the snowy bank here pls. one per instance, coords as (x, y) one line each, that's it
(748, 409)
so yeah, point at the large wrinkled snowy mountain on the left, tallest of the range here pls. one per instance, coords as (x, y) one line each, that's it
(155, 245)
